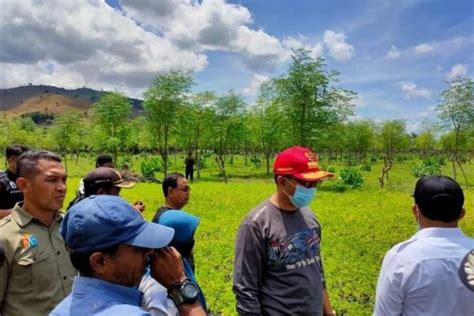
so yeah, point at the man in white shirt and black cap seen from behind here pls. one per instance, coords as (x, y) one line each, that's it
(420, 276)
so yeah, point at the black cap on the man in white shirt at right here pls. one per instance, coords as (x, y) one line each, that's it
(439, 197)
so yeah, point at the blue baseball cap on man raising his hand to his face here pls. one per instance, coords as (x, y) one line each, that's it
(102, 221)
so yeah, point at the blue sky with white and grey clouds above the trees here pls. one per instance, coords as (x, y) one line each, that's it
(396, 55)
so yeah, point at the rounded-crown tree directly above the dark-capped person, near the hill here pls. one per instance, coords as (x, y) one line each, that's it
(111, 113)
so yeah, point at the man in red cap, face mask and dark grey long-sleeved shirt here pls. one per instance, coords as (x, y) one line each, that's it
(278, 268)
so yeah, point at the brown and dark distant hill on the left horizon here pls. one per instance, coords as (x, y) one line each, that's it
(50, 99)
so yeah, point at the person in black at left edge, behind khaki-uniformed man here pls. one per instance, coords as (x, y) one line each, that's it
(10, 194)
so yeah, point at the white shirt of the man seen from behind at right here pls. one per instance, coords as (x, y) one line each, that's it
(420, 276)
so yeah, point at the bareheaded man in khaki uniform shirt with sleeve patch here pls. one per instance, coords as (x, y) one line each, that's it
(36, 272)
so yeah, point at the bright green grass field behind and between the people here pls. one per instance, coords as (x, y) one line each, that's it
(359, 226)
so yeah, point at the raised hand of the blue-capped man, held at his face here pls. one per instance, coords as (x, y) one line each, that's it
(167, 267)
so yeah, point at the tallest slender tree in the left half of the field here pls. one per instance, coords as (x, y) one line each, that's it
(168, 93)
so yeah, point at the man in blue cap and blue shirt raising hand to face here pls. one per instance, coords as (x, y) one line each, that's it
(110, 245)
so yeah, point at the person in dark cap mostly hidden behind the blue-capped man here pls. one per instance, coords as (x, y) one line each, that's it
(106, 181)
